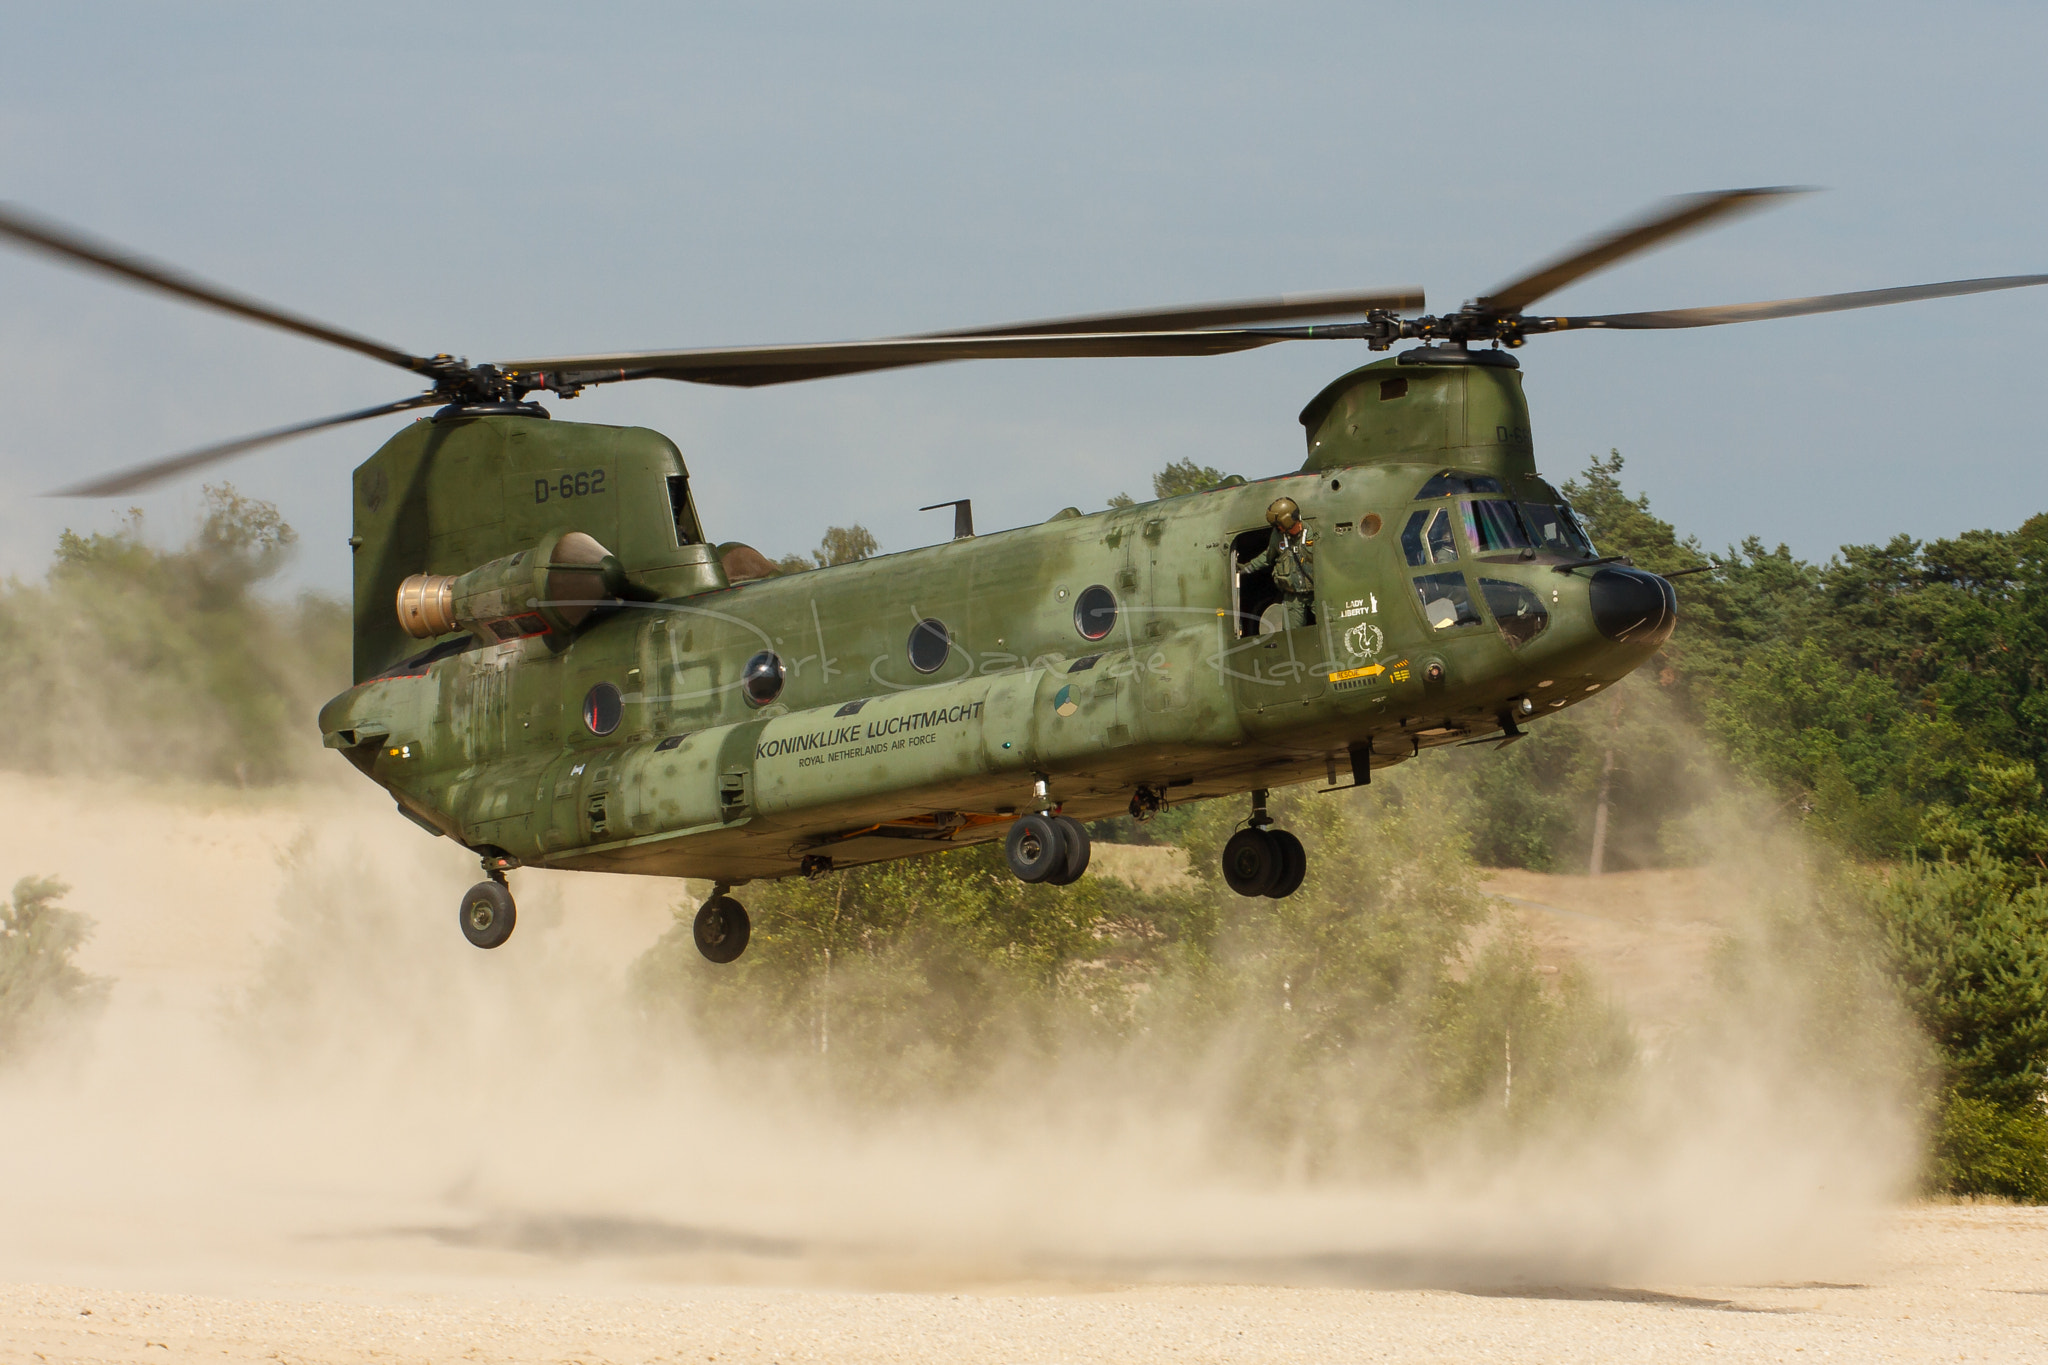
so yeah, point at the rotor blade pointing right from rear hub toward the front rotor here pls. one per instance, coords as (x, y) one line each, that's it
(751, 367)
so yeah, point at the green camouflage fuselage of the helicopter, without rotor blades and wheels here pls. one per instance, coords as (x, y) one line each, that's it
(861, 756)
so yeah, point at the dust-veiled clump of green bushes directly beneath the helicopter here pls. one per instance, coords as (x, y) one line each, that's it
(1338, 1028)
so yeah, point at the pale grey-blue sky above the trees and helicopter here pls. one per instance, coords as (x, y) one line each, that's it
(521, 179)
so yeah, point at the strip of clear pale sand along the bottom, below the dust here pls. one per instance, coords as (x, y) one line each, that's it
(1953, 1284)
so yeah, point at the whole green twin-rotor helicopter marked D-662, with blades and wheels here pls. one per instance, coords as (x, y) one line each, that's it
(558, 668)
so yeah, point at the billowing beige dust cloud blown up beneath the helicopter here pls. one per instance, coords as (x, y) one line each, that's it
(308, 1073)
